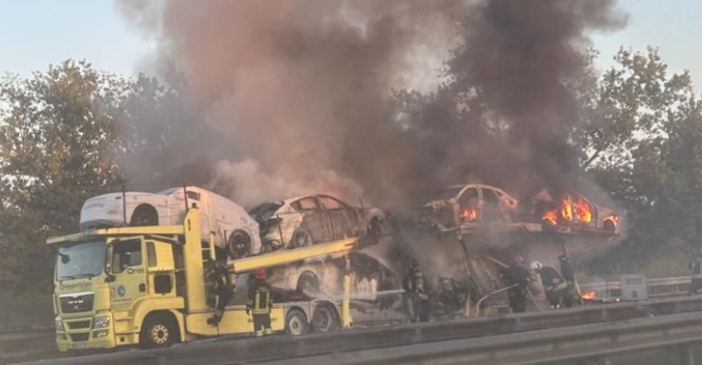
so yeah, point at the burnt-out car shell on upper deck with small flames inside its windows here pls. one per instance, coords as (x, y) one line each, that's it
(469, 204)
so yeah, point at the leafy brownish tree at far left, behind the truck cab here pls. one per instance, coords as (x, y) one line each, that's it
(59, 136)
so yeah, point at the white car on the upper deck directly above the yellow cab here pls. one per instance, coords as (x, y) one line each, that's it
(233, 228)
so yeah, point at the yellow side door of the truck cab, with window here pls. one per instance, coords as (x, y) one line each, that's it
(126, 265)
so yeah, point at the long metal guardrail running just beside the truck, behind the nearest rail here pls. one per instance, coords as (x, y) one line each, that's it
(246, 350)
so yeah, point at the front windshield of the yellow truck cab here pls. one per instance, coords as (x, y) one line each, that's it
(81, 260)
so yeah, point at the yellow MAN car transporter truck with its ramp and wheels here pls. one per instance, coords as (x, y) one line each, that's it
(147, 286)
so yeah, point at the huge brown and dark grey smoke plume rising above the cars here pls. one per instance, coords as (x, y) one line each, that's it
(301, 90)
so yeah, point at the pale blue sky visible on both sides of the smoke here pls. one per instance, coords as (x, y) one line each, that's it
(36, 33)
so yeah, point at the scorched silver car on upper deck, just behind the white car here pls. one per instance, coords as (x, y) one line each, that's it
(303, 221)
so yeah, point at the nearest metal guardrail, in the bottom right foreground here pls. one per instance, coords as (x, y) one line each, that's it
(564, 345)
